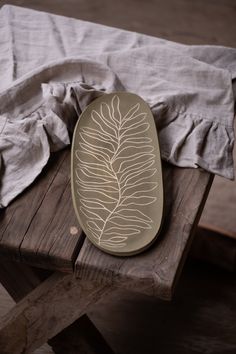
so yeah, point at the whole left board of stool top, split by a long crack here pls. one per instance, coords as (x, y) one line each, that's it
(40, 227)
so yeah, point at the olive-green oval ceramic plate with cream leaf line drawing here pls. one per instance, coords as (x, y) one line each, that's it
(117, 185)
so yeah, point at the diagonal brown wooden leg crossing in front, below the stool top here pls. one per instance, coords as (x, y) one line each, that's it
(38, 316)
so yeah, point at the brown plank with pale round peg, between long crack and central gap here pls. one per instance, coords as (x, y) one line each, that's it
(54, 236)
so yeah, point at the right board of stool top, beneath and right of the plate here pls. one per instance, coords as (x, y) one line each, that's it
(155, 271)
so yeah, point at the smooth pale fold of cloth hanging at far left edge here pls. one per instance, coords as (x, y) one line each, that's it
(31, 148)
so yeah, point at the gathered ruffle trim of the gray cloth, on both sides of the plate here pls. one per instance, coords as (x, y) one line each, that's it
(186, 140)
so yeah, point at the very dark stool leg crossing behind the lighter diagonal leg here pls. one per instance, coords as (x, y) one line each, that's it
(20, 279)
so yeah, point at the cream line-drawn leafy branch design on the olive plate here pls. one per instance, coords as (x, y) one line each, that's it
(115, 164)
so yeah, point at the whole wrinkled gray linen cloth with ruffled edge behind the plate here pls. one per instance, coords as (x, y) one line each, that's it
(52, 67)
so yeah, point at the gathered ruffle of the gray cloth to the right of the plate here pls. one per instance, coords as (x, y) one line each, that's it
(189, 140)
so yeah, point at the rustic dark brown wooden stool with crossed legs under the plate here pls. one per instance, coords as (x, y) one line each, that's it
(50, 268)
